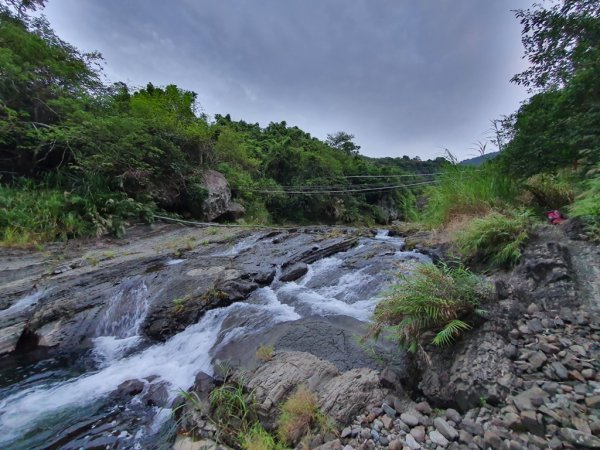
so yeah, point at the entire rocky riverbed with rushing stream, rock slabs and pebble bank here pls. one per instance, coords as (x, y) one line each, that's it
(98, 339)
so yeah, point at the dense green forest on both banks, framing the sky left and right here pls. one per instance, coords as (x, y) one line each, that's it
(80, 157)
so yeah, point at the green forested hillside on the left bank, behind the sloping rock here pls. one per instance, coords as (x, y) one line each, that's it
(79, 157)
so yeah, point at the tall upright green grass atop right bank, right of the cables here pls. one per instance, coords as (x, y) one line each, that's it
(467, 191)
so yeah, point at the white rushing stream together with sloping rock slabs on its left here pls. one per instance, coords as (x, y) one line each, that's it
(98, 338)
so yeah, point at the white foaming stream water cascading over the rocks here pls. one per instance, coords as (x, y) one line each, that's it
(73, 405)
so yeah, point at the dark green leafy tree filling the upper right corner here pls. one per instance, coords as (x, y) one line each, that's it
(558, 126)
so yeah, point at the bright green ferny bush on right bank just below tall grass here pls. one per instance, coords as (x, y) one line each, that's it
(495, 240)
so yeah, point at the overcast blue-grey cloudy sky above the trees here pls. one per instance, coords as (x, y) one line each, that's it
(406, 77)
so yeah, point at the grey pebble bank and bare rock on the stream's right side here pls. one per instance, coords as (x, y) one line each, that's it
(527, 377)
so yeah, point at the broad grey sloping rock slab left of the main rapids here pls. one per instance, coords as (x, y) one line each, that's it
(73, 287)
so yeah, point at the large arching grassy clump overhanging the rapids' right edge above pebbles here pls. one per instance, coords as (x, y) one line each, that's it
(431, 299)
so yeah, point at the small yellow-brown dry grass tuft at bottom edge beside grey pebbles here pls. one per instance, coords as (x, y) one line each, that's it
(298, 414)
